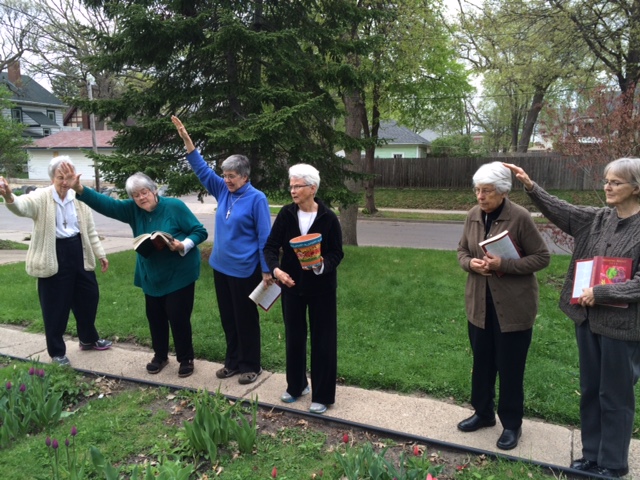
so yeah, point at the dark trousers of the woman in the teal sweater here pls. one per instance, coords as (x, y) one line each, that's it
(171, 310)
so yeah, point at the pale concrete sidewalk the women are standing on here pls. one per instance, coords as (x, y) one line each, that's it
(541, 442)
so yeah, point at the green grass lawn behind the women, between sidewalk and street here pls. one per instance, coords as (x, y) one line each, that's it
(402, 325)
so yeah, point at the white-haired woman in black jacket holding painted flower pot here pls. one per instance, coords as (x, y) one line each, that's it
(312, 290)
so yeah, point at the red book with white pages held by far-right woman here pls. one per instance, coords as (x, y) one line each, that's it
(600, 271)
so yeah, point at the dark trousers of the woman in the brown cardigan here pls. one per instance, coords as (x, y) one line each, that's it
(504, 354)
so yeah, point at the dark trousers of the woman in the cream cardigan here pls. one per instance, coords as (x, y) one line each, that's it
(72, 289)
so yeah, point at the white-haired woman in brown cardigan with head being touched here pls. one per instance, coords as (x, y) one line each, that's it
(501, 300)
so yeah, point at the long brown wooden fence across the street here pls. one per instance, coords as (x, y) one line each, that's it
(549, 171)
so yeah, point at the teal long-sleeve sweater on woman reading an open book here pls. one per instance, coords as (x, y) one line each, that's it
(164, 271)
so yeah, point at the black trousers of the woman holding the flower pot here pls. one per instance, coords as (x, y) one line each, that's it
(323, 326)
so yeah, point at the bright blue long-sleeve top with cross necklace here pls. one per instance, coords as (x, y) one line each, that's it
(239, 237)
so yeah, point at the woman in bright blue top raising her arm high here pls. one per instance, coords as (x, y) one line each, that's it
(242, 225)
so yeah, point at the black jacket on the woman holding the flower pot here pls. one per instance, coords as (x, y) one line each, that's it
(284, 229)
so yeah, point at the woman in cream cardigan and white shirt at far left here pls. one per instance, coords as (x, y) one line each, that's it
(62, 256)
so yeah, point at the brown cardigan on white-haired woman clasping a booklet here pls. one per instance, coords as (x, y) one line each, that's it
(515, 294)
